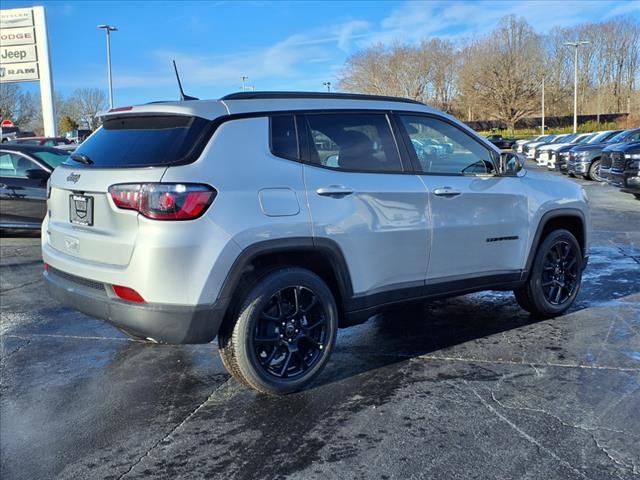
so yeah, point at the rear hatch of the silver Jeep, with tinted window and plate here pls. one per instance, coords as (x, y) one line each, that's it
(128, 149)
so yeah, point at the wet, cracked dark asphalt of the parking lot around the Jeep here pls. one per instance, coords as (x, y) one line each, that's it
(471, 387)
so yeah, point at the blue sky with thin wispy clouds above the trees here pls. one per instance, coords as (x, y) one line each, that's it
(279, 45)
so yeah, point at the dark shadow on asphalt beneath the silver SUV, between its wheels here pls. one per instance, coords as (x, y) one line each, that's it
(418, 329)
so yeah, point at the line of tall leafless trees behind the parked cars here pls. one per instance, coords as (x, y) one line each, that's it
(499, 76)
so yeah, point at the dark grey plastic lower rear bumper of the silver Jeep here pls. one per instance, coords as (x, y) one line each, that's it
(160, 322)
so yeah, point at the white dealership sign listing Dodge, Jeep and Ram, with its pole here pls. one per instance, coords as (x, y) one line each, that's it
(24, 56)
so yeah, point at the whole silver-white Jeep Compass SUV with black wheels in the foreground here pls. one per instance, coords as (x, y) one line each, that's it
(270, 219)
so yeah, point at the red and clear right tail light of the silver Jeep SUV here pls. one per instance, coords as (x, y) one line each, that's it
(164, 201)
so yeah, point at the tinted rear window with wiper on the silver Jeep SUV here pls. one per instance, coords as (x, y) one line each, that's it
(143, 141)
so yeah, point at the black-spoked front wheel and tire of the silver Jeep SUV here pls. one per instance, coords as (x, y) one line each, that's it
(555, 278)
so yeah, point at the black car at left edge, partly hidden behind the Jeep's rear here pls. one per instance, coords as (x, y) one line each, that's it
(24, 171)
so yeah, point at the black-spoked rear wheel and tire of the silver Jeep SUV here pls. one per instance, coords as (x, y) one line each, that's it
(273, 346)
